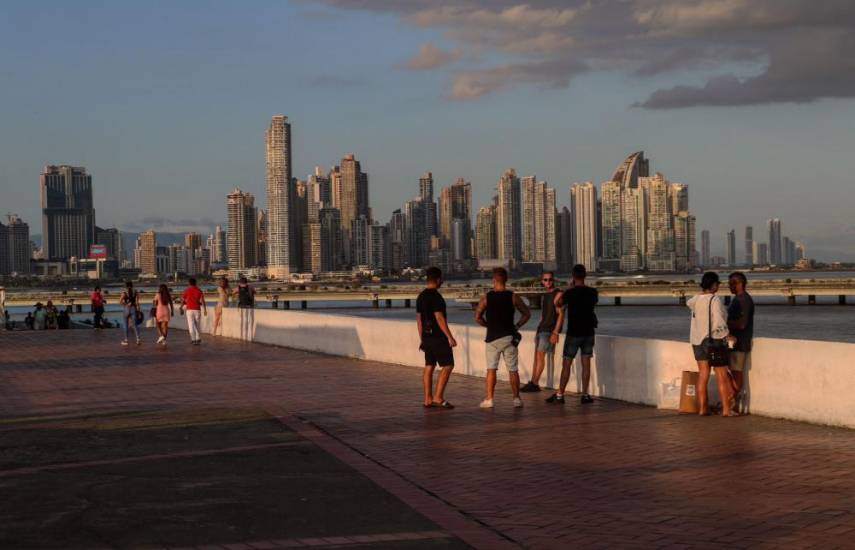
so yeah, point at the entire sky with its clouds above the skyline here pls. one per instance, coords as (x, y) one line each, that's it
(750, 102)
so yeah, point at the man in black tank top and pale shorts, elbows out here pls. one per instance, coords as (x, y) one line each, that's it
(496, 312)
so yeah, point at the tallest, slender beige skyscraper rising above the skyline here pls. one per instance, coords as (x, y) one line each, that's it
(279, 194)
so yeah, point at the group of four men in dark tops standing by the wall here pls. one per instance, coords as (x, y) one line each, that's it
(496, 311)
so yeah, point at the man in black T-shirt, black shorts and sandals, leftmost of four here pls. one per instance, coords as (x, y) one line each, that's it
(436, 339)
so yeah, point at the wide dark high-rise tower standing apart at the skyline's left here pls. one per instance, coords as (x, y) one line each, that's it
(68, 212)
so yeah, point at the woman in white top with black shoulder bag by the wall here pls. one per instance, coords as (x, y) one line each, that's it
(709, 328)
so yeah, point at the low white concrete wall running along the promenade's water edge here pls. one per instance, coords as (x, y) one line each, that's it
(803, 380)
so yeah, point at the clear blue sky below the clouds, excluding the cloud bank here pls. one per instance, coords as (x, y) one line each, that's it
(166, 104)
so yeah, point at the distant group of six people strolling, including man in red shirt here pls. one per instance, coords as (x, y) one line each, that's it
(191, 304)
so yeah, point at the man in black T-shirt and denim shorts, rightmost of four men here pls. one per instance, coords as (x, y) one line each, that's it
(580, 301)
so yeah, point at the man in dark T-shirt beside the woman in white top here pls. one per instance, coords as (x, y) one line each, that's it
(740, 321)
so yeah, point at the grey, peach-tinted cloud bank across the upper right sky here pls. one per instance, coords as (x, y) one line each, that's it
(753, 52)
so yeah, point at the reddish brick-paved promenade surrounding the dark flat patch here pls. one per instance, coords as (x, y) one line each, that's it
(608, 475)
